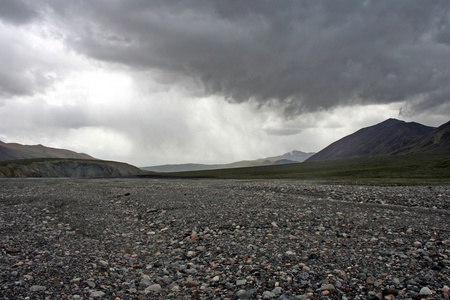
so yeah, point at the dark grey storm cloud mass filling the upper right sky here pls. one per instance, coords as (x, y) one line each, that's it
(307, 55)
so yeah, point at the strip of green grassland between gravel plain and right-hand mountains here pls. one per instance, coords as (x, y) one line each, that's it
(405, 169)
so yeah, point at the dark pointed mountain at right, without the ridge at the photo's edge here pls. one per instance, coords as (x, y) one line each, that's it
(386, 138)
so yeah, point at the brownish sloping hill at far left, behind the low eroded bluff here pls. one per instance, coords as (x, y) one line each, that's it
(12, 151)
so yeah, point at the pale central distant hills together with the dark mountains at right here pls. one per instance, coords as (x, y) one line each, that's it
(390, 137)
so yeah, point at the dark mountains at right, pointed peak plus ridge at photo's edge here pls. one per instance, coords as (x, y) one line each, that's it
(391, 137)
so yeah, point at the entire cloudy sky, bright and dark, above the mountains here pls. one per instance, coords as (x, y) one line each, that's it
(166, 82)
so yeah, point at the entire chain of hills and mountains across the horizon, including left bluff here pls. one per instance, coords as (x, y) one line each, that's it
(389, 138)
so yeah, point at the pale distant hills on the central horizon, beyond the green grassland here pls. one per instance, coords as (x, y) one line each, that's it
(287, 158)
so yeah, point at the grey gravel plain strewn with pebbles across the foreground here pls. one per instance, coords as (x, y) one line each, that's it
(214, 239)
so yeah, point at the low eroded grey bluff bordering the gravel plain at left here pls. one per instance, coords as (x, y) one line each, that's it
(67, 168)
